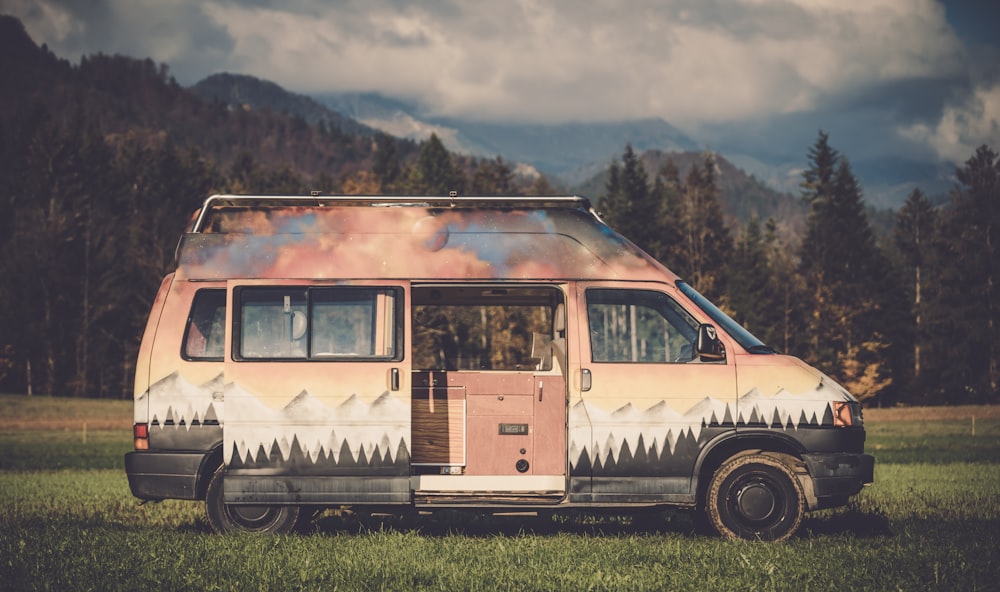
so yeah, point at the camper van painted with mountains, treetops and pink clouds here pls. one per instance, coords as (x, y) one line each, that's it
(494, 354)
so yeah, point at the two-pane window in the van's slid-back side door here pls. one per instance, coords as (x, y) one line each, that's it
(317, 323)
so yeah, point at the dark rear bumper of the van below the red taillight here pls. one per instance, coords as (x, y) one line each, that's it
(154, 475)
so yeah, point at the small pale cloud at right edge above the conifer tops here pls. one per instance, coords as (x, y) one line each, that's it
(963, 126)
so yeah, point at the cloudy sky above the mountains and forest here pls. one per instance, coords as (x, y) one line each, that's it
(921, 75)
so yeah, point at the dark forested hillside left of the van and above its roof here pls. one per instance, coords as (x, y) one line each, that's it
(89, 222)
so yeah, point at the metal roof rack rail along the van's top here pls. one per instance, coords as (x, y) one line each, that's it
(318, 200)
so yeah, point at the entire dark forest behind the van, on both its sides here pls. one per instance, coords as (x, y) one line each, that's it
(89, 223)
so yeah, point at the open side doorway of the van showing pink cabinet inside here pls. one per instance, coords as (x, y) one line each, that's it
(489, 394)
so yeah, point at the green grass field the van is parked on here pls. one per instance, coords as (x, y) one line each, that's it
(68, 522)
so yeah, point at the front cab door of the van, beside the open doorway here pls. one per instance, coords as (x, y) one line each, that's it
(650, 407)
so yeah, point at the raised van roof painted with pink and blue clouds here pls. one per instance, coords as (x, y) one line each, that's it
(407, 237)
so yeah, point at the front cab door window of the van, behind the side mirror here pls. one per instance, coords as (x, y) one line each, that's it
(641, 326)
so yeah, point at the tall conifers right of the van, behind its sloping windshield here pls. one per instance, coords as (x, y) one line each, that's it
(910, 318)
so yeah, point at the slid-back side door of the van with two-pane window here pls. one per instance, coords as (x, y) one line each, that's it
(321, 415)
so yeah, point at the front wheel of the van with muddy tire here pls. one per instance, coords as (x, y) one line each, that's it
(755, 497)
